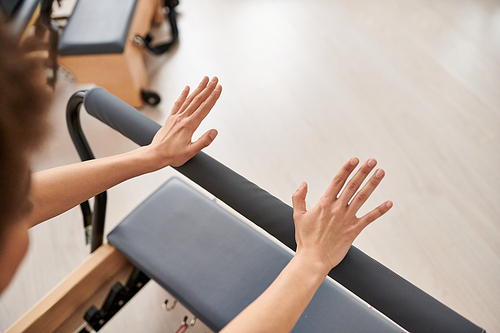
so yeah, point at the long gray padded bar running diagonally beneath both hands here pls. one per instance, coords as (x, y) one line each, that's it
(398, 299)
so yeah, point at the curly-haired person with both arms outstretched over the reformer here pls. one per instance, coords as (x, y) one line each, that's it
(323, 234)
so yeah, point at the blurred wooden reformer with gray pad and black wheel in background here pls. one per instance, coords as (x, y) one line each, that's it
(102, 43)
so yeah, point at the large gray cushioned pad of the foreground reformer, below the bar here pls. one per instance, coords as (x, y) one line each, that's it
(215, 264)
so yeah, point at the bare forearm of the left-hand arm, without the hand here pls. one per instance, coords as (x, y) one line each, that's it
(57, 190)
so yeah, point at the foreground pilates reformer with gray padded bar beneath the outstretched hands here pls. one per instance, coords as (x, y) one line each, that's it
(225, 263)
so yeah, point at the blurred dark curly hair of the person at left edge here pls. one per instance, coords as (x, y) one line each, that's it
(23, 104)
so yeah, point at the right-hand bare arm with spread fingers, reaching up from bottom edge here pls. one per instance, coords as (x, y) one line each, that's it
(324, 235)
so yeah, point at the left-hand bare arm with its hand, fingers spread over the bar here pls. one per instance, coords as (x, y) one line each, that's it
(54, 191)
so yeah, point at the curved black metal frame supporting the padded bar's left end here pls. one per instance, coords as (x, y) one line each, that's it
(93, 220)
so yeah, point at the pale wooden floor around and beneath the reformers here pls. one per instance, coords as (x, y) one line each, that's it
(308, 84)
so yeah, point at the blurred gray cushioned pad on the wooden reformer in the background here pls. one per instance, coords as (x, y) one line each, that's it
(97, 27)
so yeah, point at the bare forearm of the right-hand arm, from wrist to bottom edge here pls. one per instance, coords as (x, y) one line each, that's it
(279, 308)
